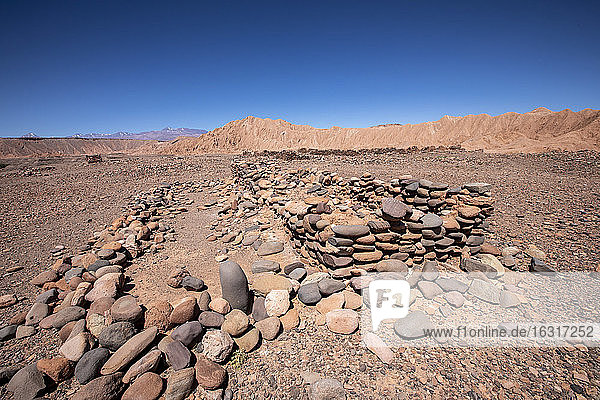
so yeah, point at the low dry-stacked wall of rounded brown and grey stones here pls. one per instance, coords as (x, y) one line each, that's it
(409, 219)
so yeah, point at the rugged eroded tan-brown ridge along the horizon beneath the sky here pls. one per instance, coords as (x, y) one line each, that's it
(536, 131)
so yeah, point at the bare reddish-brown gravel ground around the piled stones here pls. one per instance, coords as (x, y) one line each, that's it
(550, 200)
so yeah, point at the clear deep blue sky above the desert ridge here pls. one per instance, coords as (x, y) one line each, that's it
(102, 66)
